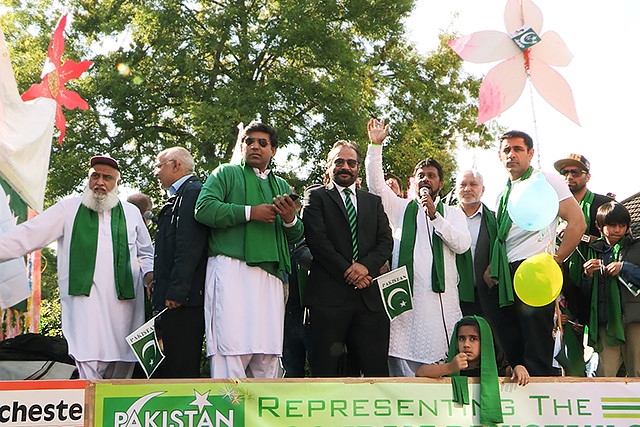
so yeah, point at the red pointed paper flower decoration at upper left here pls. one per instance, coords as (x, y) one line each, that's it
(54, 76)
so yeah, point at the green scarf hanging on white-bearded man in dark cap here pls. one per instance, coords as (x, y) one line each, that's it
(83, 252)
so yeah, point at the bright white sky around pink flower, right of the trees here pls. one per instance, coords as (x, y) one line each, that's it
(603, 76)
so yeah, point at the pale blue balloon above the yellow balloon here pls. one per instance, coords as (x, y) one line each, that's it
(533, 204)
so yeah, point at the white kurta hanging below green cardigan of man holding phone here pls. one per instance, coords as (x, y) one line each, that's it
(244, 311)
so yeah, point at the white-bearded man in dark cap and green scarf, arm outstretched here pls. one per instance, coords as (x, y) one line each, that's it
(104, 251)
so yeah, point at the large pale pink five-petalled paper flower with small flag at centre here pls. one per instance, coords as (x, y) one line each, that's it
(524, 54)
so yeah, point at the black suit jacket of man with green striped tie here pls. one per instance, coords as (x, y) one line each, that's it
(329, 239)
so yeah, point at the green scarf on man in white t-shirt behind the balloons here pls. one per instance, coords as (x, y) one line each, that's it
(499, 261)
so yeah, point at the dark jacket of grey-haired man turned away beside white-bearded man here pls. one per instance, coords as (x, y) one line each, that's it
(180, 261)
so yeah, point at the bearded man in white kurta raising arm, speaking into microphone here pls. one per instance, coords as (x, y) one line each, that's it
(427, 236)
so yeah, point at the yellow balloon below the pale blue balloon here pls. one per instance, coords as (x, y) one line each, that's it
(538, 280)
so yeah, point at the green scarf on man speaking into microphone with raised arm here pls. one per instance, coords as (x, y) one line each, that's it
(408, 243)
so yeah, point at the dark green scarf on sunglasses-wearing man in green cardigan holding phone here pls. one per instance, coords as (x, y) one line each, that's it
(261, 248)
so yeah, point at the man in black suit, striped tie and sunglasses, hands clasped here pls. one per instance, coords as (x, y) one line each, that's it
(345, 306)
